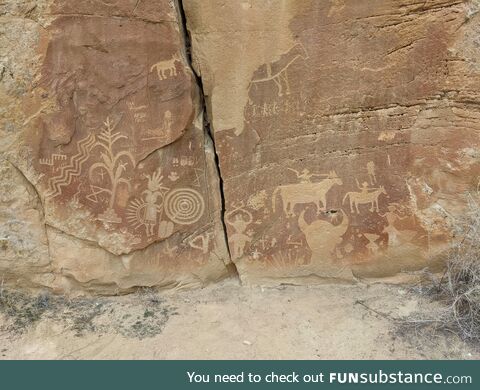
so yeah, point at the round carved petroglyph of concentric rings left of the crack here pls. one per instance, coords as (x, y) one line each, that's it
(184, 206)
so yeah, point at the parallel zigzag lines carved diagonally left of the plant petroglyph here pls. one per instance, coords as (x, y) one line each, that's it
(73, 168)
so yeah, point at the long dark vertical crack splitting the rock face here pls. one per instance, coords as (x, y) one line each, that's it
(206, 125)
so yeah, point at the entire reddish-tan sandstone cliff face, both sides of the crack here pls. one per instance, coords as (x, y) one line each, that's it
(346, 134)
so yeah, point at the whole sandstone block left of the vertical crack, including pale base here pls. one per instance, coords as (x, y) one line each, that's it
(108, 128)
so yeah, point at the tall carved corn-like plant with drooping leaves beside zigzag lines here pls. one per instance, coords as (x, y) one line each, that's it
(114, 165)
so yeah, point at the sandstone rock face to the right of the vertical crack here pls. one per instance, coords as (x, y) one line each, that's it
(347, 131)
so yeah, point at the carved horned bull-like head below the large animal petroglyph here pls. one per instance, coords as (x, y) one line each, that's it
(322, 236)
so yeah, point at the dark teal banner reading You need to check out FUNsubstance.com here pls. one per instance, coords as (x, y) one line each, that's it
(239, 374)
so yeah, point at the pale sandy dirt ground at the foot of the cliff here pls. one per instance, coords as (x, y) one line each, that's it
(226, 321)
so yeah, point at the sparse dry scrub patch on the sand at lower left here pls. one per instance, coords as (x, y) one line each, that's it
(86, 314)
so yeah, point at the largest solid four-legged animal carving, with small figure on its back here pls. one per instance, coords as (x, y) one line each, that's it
(306, 192)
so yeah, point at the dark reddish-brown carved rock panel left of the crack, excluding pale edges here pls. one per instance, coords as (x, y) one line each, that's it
(119, 156)
